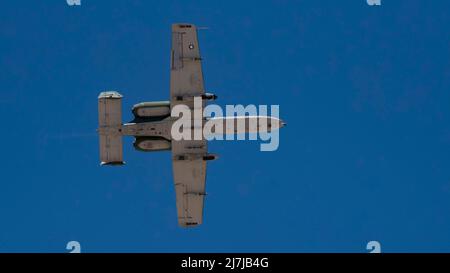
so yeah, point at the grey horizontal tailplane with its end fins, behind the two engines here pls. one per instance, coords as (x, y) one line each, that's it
(110, 123)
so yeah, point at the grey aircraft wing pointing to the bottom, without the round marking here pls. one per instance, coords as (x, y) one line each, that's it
(189, 173)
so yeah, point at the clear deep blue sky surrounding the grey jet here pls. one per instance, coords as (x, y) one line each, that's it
(366, 155)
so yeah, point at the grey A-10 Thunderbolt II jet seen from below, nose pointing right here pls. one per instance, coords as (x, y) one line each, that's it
(153, 121)
